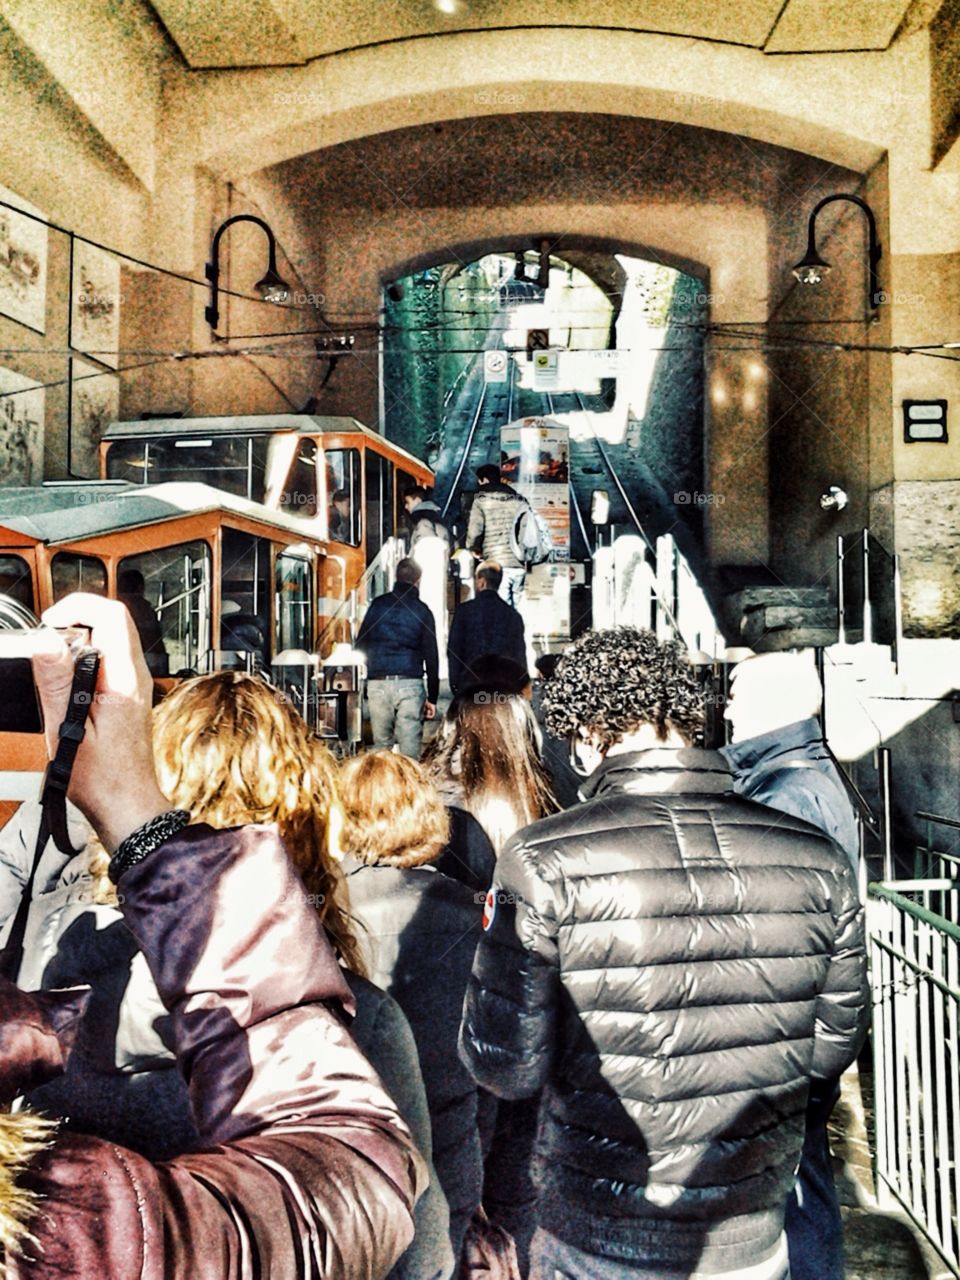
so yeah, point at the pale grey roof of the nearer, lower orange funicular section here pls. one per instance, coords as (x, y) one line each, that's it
(66, 513)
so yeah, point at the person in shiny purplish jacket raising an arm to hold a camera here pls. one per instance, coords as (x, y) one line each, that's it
(304, 1165)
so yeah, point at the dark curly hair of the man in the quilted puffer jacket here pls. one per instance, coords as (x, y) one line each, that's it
(612, 683)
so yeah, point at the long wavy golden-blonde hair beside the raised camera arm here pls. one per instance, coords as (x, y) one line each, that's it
(234, 751)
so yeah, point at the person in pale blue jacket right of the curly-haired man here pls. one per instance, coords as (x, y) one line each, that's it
(780, 758)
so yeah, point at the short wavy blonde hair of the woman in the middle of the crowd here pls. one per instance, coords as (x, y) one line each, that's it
(392, 815)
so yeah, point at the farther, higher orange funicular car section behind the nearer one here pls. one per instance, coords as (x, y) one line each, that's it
(335, 478)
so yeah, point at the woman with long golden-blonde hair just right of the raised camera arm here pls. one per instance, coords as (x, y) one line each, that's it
(234, 751)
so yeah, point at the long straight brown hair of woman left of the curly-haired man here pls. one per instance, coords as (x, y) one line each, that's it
(490, 746)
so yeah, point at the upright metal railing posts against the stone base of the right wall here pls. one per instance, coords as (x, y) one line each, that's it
(868, 592)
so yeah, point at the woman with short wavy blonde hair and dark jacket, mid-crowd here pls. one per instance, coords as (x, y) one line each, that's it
(422, 930)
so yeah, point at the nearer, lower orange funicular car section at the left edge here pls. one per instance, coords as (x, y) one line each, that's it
(212, 580)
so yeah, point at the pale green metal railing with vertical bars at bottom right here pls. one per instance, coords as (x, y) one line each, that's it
(916, 980)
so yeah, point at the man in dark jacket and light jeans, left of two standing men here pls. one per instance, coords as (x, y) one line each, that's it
(400, 643)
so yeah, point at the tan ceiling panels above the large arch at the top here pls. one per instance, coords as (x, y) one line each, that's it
(292, 33)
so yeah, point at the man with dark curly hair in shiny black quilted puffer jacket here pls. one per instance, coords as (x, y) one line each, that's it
(671, 967)
